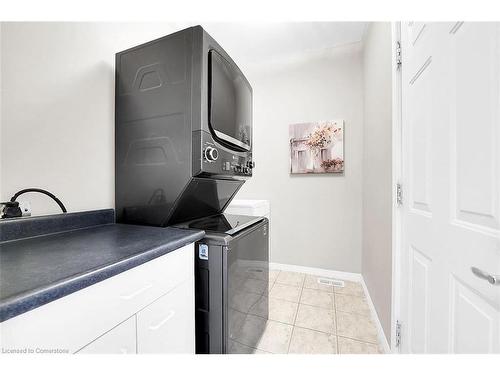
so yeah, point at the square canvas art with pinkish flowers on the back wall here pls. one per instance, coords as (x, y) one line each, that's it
(317, 147)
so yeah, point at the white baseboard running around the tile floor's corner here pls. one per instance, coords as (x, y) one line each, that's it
(349, 276)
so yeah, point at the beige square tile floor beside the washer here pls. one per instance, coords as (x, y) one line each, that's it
(305, 317)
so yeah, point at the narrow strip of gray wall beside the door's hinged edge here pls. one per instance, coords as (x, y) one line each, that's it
(377, 170)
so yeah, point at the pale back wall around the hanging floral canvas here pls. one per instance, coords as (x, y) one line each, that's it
(315, 219)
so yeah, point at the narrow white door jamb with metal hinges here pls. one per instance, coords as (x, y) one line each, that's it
(397, 157)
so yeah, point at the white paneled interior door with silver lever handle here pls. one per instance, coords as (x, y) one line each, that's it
(451, 187)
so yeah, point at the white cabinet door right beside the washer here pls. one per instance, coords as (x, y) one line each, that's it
(167, 325)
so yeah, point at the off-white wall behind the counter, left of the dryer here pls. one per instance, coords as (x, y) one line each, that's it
(58, 109)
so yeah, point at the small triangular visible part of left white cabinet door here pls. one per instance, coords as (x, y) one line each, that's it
(120, 340)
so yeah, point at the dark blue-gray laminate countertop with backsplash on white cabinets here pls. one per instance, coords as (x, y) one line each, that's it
(40, 269)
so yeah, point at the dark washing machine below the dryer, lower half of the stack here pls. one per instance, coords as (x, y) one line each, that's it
(232, 278)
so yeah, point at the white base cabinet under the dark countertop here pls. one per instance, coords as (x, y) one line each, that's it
(84, 319)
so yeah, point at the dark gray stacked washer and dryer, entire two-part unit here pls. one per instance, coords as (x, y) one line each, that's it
(183, 149)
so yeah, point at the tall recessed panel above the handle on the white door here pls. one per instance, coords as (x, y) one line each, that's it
(474, 124)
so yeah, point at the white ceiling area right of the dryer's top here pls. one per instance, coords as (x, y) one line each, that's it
(254, 43)
